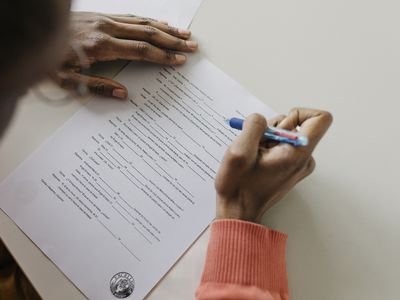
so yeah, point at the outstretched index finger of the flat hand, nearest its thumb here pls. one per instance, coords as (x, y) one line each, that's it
(144, 51)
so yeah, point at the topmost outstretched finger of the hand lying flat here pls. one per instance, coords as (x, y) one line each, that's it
(163, 26)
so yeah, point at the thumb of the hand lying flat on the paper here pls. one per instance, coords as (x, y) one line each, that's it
(105, 87)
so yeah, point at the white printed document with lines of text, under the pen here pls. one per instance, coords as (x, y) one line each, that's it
(128, 186)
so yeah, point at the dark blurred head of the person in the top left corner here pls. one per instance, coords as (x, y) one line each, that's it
(33, 35)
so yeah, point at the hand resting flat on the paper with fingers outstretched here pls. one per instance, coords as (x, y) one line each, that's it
(126, 37)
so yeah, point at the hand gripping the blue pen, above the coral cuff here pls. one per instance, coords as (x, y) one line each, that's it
(256, 173)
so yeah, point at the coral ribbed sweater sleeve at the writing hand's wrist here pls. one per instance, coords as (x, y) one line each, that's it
(244, 261)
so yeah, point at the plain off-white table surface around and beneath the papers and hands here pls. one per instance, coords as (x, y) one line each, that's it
(343, 221)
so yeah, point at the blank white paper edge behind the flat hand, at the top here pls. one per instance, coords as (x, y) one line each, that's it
(178, 13)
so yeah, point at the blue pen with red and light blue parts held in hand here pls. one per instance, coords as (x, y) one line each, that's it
(274, 133)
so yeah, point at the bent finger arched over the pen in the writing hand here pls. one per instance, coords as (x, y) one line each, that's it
(312, 123)
